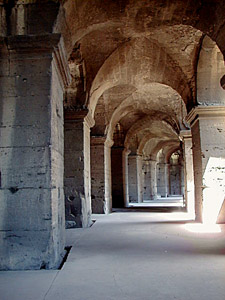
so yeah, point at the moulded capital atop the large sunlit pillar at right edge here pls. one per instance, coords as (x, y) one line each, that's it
(205, 112)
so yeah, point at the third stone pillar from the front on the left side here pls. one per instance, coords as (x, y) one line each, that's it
(101, 193)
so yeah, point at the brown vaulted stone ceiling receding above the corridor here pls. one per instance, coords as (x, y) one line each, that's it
(138, 60)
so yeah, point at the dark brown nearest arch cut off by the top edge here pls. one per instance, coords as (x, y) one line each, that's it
(77, 21)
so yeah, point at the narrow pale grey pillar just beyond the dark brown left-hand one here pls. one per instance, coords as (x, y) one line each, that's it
(132, 178)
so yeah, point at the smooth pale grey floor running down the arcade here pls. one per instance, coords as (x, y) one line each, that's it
(130, 256)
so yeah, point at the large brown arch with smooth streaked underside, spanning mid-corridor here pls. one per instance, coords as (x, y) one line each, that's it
(126, 66)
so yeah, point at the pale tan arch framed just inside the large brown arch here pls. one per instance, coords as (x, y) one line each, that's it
(168, 107)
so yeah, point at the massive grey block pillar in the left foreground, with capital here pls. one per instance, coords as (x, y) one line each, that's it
(32, 223)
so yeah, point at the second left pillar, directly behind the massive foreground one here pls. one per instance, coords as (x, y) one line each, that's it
(77, 178)
